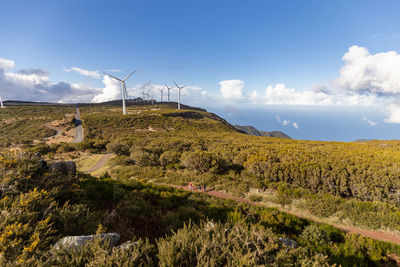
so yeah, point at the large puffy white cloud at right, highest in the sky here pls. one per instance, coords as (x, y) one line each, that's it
(363, 72)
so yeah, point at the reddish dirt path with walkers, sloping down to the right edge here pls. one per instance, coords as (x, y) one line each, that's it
(382, 236)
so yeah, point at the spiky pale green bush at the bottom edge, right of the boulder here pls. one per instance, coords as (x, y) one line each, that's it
(216, 244)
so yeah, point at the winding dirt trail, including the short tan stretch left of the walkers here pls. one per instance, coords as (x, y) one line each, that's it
(377, 235)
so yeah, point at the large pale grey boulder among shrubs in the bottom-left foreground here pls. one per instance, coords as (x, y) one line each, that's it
(76, 242)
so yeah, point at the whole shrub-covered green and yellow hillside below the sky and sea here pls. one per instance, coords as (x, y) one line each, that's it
(349, 183)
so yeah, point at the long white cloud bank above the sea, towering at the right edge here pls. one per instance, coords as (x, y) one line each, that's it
(367, 80)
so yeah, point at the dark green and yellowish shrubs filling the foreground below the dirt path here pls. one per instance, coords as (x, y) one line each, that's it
(40, 204)
